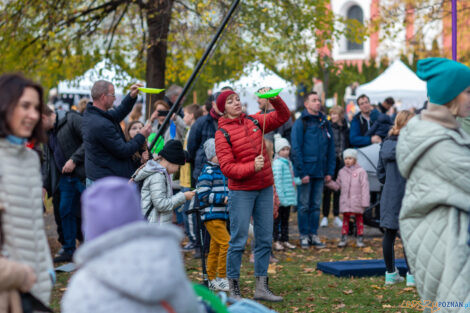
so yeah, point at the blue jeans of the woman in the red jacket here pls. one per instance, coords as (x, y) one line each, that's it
(243, 205)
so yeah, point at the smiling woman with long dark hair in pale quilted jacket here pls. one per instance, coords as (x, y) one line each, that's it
(25, 241)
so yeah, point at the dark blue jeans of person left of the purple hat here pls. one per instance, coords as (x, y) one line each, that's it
(70, 189)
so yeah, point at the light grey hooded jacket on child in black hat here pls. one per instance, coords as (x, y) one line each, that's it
(157, 192)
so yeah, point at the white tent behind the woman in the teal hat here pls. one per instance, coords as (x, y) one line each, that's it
(399, 82)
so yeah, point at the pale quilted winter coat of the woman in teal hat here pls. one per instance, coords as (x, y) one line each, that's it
(434, 217)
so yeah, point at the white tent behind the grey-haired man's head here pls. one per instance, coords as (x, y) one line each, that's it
(103, 70)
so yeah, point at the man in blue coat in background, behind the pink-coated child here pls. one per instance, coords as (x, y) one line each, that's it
(362, 122)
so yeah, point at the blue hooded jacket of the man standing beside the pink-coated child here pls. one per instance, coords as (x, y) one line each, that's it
(313, 148)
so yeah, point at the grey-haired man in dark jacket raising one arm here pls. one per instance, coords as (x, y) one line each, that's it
(106, 151)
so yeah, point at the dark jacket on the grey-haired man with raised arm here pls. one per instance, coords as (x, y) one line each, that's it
(106, 151)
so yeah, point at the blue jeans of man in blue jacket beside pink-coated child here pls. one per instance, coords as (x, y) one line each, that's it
(308, 209)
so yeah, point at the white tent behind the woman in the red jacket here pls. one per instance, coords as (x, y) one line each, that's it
(256, 76)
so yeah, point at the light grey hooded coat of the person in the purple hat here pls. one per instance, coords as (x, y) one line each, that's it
(134, 268)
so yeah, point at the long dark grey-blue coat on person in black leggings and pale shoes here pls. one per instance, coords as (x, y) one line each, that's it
(394, 184)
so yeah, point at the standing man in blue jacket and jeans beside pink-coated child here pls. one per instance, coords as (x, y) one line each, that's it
(314, 162)
